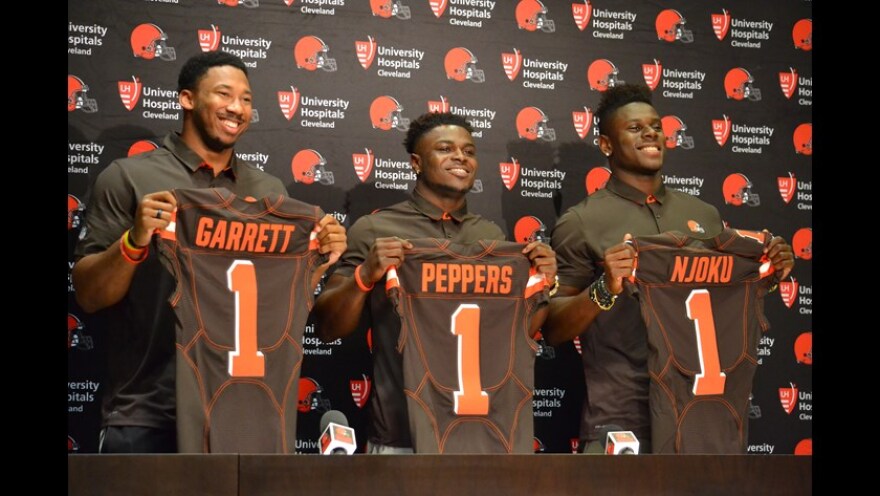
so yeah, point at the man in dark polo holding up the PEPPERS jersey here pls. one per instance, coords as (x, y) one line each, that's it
(444, 157)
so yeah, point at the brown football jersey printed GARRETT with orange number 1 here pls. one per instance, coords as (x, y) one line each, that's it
(243, 270)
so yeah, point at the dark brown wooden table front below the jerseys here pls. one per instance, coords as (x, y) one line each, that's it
(425, 475)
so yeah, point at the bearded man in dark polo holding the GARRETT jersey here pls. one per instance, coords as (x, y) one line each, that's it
(114, 271)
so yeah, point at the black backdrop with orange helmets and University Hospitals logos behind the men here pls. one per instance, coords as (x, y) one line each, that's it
(336, 83)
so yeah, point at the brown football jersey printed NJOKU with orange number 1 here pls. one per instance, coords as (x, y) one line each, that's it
(702, 301)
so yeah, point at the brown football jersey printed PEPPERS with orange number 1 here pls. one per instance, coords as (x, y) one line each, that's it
(468, 357)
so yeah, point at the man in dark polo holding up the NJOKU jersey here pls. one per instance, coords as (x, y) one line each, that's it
(593, 260)
